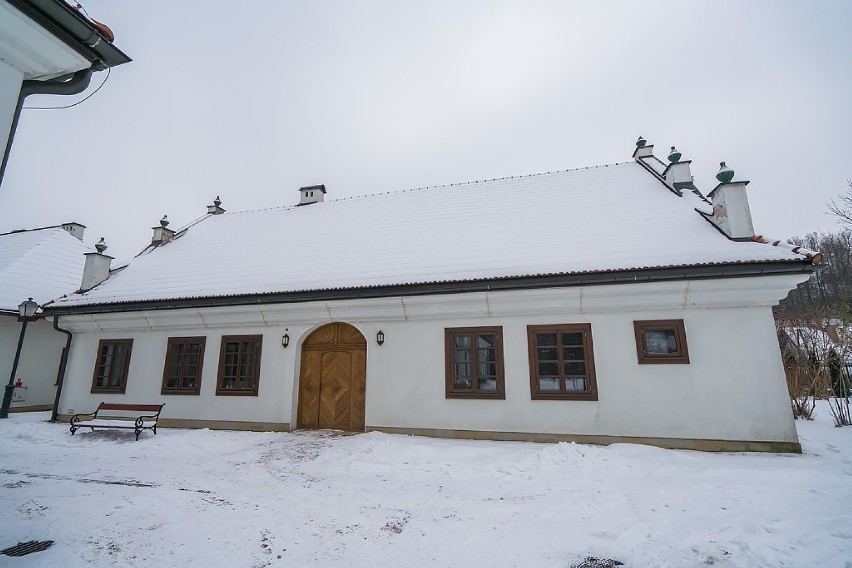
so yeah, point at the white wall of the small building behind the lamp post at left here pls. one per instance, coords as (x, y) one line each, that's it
(39, 362)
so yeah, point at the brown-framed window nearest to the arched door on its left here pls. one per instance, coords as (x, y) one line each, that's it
(239, 365)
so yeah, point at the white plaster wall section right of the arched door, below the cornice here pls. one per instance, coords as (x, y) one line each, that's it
(732, 389)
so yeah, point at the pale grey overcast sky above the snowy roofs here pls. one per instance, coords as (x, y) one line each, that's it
(365, 97)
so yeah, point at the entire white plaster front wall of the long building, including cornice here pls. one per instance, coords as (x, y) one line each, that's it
(733, 388)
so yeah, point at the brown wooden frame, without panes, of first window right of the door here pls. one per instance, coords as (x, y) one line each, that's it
(449, 349)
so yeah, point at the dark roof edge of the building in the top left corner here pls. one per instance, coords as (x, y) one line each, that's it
(72, 28)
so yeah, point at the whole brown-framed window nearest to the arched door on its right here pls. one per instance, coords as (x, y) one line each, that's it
(474, 358)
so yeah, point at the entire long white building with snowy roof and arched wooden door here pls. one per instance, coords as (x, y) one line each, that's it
(604, 304)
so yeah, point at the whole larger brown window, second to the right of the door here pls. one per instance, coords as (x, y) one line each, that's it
(562, 366)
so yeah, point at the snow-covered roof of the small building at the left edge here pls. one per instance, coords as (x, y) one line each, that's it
(40, 263)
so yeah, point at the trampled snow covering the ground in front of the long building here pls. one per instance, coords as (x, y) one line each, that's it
(246, 499)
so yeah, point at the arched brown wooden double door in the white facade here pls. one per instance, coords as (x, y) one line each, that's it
(333, 379)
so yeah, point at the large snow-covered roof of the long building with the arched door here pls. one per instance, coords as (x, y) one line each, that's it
(605, 218)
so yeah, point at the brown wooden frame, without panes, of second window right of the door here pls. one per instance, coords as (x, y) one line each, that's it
(589, 360)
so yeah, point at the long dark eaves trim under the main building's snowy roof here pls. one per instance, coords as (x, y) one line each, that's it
(739, 270)
